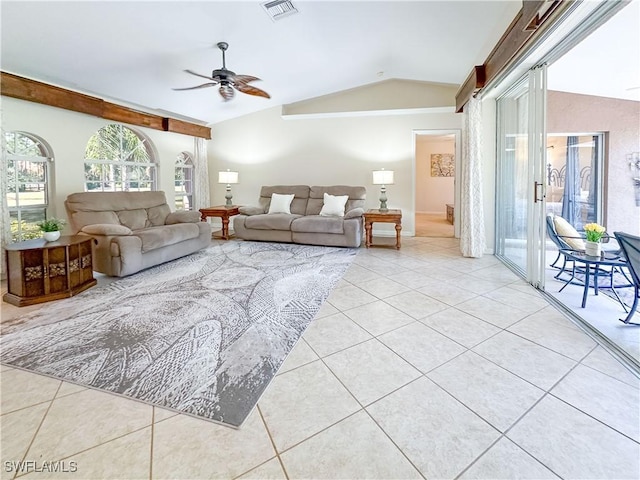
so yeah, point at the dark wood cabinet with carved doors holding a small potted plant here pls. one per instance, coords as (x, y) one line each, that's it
(39, 271)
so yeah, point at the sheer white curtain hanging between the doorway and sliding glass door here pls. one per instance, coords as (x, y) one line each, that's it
(472, 234)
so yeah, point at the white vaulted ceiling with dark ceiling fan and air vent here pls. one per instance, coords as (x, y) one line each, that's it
(135, 53)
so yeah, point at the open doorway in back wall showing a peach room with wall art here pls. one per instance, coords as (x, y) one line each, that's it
(436, 193)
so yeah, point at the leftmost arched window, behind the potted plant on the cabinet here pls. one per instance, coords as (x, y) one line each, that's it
(27, 183)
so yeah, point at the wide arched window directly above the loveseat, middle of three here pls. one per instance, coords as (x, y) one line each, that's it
(119, 159)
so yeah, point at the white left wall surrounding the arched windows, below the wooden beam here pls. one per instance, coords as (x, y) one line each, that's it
(67, 134)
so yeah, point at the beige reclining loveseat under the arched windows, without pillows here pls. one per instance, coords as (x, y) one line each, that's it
(134, 230)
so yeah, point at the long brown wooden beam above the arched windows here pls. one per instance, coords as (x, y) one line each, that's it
(34, 91)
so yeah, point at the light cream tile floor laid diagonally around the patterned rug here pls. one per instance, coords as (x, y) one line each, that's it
(421, 364)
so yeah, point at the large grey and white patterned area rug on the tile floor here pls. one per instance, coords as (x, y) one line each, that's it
(202, 335)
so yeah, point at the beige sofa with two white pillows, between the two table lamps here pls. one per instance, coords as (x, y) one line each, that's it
(304, 224)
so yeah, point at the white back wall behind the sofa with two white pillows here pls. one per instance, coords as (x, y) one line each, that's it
(268, 150)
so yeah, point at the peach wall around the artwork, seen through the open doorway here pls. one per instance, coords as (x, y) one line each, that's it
(432, 193)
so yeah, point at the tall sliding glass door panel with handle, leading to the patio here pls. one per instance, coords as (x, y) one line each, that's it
(521, 176)
